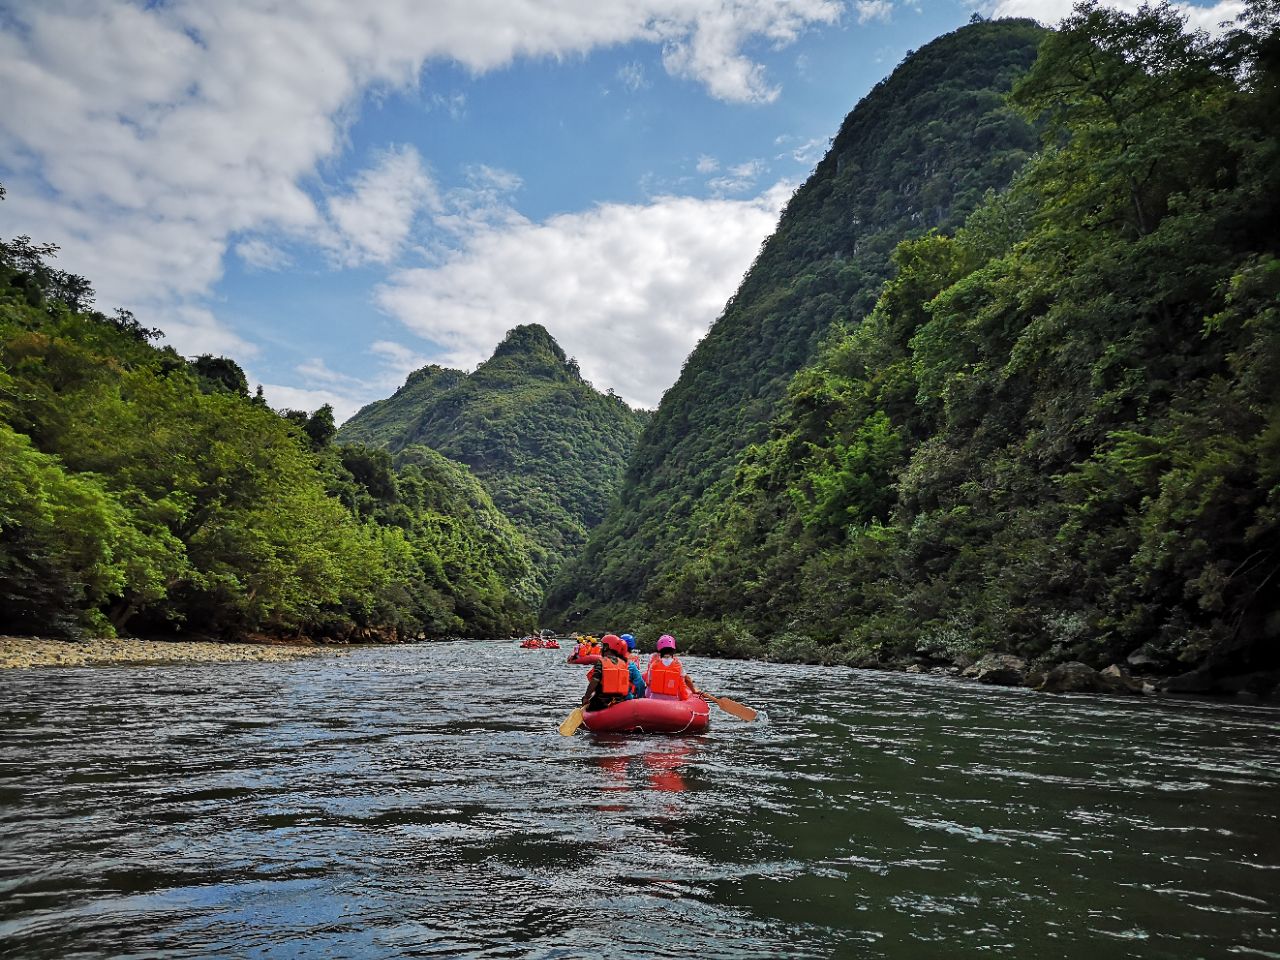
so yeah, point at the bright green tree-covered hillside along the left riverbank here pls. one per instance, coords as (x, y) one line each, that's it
(143, 492)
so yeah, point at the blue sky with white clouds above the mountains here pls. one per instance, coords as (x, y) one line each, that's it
(337, 194)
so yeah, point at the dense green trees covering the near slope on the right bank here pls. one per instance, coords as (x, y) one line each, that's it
(1058, 433)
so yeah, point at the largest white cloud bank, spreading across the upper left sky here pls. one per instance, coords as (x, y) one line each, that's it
(144, 138)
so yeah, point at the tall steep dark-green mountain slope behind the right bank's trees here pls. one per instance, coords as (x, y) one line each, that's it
(918, 153)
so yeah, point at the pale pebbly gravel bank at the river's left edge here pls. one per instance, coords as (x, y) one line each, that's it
(17, 652)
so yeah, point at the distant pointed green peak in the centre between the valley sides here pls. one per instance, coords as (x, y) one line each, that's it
(547, 445)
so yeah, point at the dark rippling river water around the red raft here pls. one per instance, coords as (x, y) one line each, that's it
(419, 802)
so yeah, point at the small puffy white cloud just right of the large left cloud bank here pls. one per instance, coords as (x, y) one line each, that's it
(373, 222)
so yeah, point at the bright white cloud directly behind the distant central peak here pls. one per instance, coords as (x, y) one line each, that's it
(628, 290)
